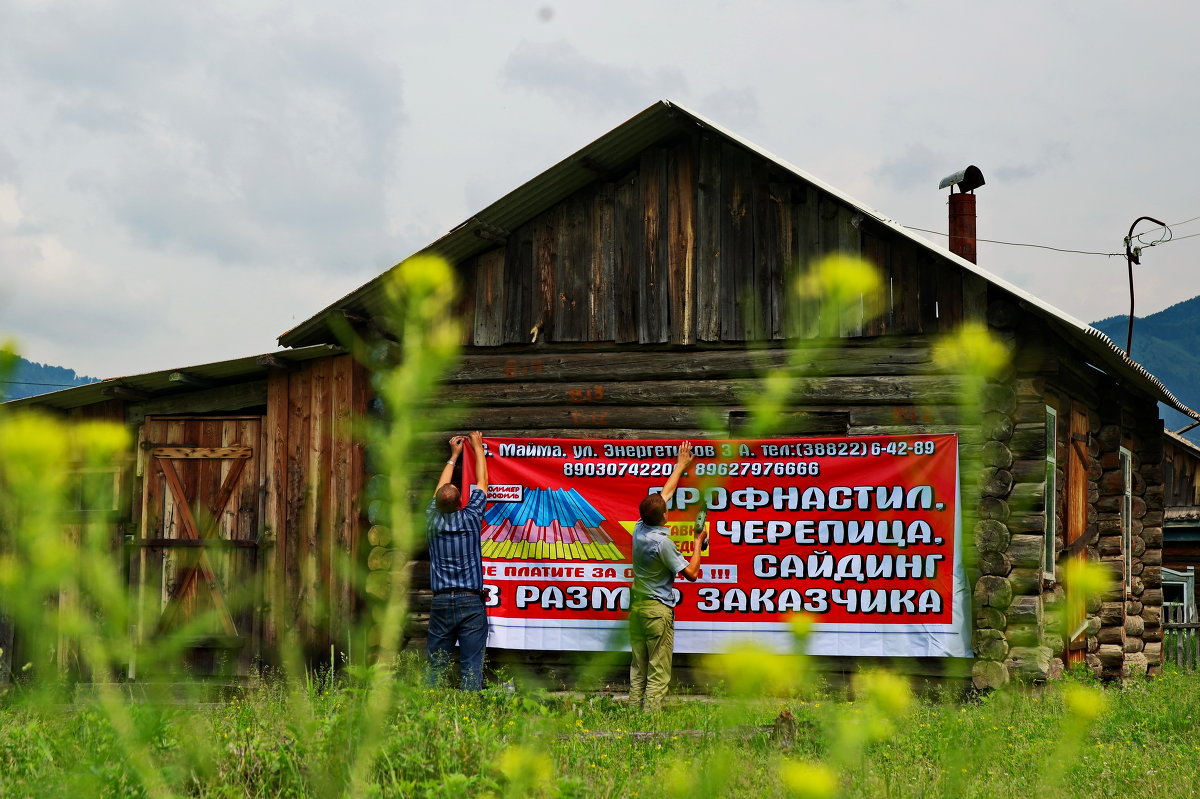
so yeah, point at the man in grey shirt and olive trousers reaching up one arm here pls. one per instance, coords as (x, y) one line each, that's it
(657, 562)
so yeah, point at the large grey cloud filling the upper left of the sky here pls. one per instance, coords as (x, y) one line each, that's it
(249, 140)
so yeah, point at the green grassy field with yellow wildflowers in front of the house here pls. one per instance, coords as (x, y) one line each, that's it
(1069, 740)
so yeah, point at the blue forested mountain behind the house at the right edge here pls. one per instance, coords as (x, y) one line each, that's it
(1167, 344)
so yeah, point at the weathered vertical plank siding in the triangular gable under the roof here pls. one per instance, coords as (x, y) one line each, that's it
(699, 242)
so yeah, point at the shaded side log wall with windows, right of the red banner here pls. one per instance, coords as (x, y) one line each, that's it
(1021, 624)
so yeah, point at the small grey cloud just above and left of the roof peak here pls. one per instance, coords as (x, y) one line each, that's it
(565, 75)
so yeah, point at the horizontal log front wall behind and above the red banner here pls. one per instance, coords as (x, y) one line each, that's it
(854, 387)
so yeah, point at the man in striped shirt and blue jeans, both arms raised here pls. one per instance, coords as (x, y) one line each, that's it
(457, 570)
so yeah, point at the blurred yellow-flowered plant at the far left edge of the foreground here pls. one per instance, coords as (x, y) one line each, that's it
(62, 586)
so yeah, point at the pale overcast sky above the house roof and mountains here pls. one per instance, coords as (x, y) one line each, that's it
(183, 183)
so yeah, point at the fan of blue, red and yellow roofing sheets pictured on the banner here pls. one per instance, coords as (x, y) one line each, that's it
(550, 525)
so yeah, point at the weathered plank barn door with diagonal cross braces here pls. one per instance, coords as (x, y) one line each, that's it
(199, 543)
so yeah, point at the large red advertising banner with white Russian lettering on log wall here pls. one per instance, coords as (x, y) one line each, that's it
(862, 534)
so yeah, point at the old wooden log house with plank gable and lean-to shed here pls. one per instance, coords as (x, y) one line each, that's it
(641, 281)
